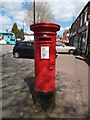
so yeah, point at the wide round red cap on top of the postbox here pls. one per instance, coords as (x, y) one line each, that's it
(45, 27)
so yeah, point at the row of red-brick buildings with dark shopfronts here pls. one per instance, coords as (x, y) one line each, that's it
(80, 31)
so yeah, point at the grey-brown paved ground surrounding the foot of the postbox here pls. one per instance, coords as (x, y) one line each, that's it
(71, 88)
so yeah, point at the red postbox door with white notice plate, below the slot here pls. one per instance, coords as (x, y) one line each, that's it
(46, 66)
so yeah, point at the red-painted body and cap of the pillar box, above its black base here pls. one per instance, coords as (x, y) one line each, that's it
(45, 54)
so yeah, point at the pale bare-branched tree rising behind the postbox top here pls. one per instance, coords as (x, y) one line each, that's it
(42, 13)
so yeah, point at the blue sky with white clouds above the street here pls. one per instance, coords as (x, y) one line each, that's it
(64, 11)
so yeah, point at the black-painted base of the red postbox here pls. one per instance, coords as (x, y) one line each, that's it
(44, 100)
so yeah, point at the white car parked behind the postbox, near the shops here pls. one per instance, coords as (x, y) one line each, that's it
(62, 48)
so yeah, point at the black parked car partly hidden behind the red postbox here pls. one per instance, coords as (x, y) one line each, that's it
(24, 49)
